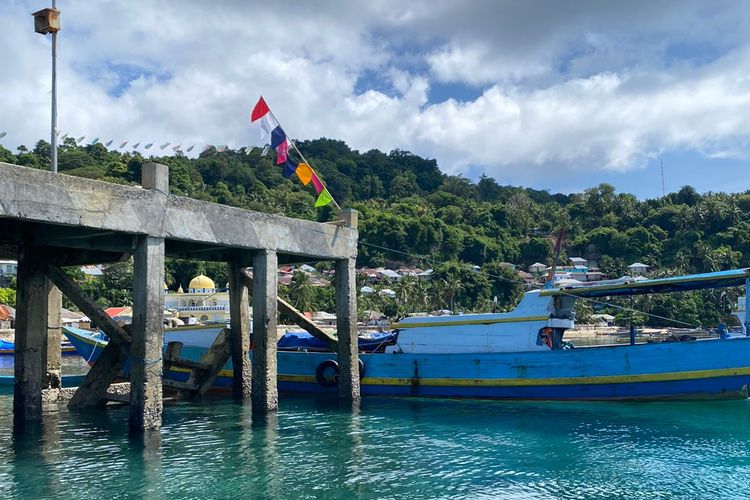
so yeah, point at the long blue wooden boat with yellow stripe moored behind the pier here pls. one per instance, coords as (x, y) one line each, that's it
(521, 354)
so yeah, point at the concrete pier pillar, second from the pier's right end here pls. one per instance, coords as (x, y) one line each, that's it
(265, 394)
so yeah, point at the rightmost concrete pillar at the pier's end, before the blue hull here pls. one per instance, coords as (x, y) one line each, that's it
(346, 329)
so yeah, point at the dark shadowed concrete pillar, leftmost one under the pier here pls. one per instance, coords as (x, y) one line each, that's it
(31, 330)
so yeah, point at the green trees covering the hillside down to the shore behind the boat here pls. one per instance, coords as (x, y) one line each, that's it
(412, 214)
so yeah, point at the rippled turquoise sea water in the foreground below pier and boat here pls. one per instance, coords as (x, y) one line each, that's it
(388, 448)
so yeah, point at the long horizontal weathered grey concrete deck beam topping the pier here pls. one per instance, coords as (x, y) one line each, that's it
(36, 195)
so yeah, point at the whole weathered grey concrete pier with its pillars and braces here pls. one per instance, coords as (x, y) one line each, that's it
(49, 221)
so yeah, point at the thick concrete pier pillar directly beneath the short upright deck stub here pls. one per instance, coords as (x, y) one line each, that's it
(146, 348)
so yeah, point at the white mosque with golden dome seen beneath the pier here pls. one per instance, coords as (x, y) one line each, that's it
(202, 303)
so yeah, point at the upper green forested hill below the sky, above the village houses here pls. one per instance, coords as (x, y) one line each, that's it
(409, 205)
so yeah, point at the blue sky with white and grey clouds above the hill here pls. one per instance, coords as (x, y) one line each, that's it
(546, 94)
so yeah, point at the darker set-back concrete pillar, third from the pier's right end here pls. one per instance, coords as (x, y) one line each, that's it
(239, 310)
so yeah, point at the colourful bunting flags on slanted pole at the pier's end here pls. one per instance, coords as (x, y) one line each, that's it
(279, 141)
